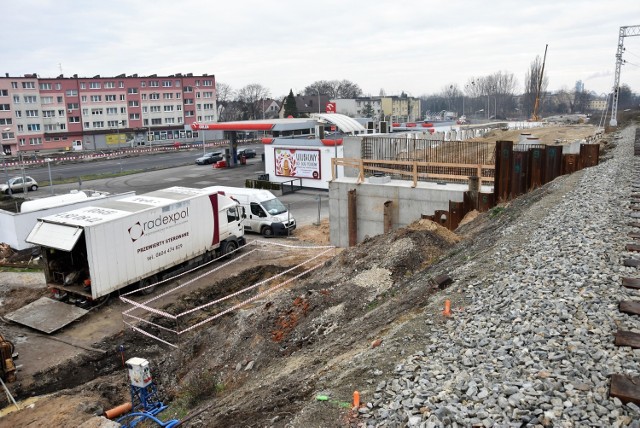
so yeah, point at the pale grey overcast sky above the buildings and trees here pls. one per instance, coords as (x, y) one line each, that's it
(419, 47)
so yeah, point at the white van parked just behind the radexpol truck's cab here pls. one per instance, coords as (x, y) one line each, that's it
(264, 212)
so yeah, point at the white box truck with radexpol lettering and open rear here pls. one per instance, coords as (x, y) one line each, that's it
(93, 251)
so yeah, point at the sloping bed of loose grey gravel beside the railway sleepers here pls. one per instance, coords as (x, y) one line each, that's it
(535, 345)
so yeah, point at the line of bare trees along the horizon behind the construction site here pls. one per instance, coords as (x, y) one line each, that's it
(490, 96)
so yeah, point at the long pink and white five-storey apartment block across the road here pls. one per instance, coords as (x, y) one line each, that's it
(94, 113)
